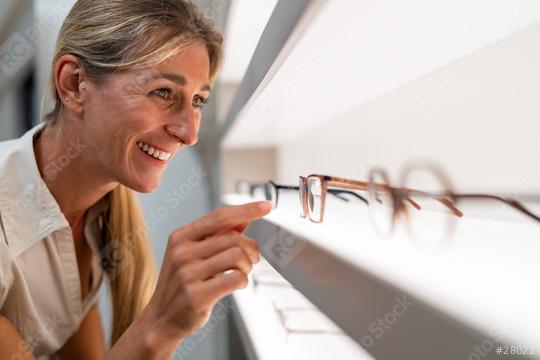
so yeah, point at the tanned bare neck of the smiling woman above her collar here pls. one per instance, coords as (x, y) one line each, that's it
(73, 178)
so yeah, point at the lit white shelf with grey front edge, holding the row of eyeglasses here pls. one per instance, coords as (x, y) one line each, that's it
(462, 295)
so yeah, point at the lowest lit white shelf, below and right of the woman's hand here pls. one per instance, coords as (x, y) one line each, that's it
(311, 334)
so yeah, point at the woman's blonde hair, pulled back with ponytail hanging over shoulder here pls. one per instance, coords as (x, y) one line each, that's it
(112, 35)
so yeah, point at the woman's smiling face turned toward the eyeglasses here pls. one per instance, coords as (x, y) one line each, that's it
(136, 112)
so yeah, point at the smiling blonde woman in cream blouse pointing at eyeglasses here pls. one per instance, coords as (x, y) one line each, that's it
(129, 78)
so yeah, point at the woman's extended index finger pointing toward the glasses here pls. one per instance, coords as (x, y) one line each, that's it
(225, 218)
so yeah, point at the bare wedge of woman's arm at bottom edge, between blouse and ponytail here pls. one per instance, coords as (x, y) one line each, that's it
(87, 342)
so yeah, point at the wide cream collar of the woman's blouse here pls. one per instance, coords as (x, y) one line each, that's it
(28, 209)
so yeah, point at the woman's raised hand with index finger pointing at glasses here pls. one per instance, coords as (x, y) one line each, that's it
(192, 278)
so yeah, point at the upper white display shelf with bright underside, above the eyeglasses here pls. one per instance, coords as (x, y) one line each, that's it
(349, 53)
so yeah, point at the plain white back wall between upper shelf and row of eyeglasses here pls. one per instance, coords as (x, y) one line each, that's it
(478, 117)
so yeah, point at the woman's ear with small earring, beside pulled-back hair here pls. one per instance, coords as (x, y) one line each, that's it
(71, 82)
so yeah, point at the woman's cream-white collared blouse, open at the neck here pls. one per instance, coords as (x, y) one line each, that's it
(40, 291)
